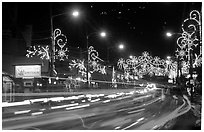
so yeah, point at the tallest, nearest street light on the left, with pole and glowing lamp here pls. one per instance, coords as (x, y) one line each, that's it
(75, 13)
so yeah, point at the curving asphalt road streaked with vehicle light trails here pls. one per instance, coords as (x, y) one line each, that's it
(150, 109)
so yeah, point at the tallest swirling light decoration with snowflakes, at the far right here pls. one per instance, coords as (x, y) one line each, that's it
(189, 44)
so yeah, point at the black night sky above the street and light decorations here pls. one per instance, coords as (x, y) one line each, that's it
(141, 26)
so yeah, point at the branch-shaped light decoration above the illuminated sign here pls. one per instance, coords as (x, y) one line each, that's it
(38, 50)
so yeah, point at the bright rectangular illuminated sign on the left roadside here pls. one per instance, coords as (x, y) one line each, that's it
(28, 71)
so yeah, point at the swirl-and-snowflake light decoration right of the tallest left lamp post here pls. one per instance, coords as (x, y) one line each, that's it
(60, 41)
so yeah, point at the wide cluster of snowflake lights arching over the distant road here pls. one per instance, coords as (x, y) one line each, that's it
(142, 65)
